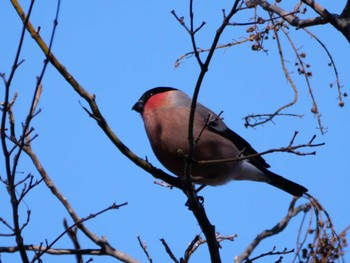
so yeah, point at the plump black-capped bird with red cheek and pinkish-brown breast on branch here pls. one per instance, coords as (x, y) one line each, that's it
(165, 112)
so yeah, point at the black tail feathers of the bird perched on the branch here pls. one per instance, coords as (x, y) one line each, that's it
(285, 185)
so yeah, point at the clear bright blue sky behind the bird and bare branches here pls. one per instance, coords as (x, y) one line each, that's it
(119, 49)
